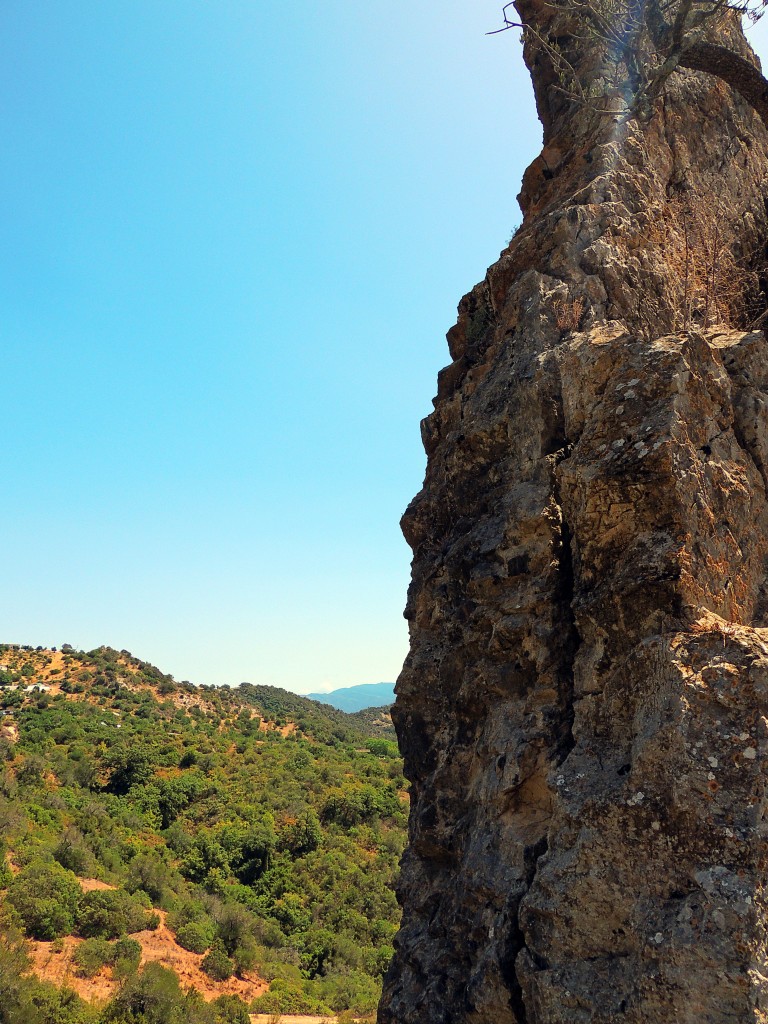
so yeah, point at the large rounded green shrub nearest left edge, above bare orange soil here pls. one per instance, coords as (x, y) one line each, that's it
(47, 899)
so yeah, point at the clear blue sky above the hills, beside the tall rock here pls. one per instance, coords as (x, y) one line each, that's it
(235, 233)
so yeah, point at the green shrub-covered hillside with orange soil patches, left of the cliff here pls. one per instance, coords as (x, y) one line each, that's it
(170, 850)
